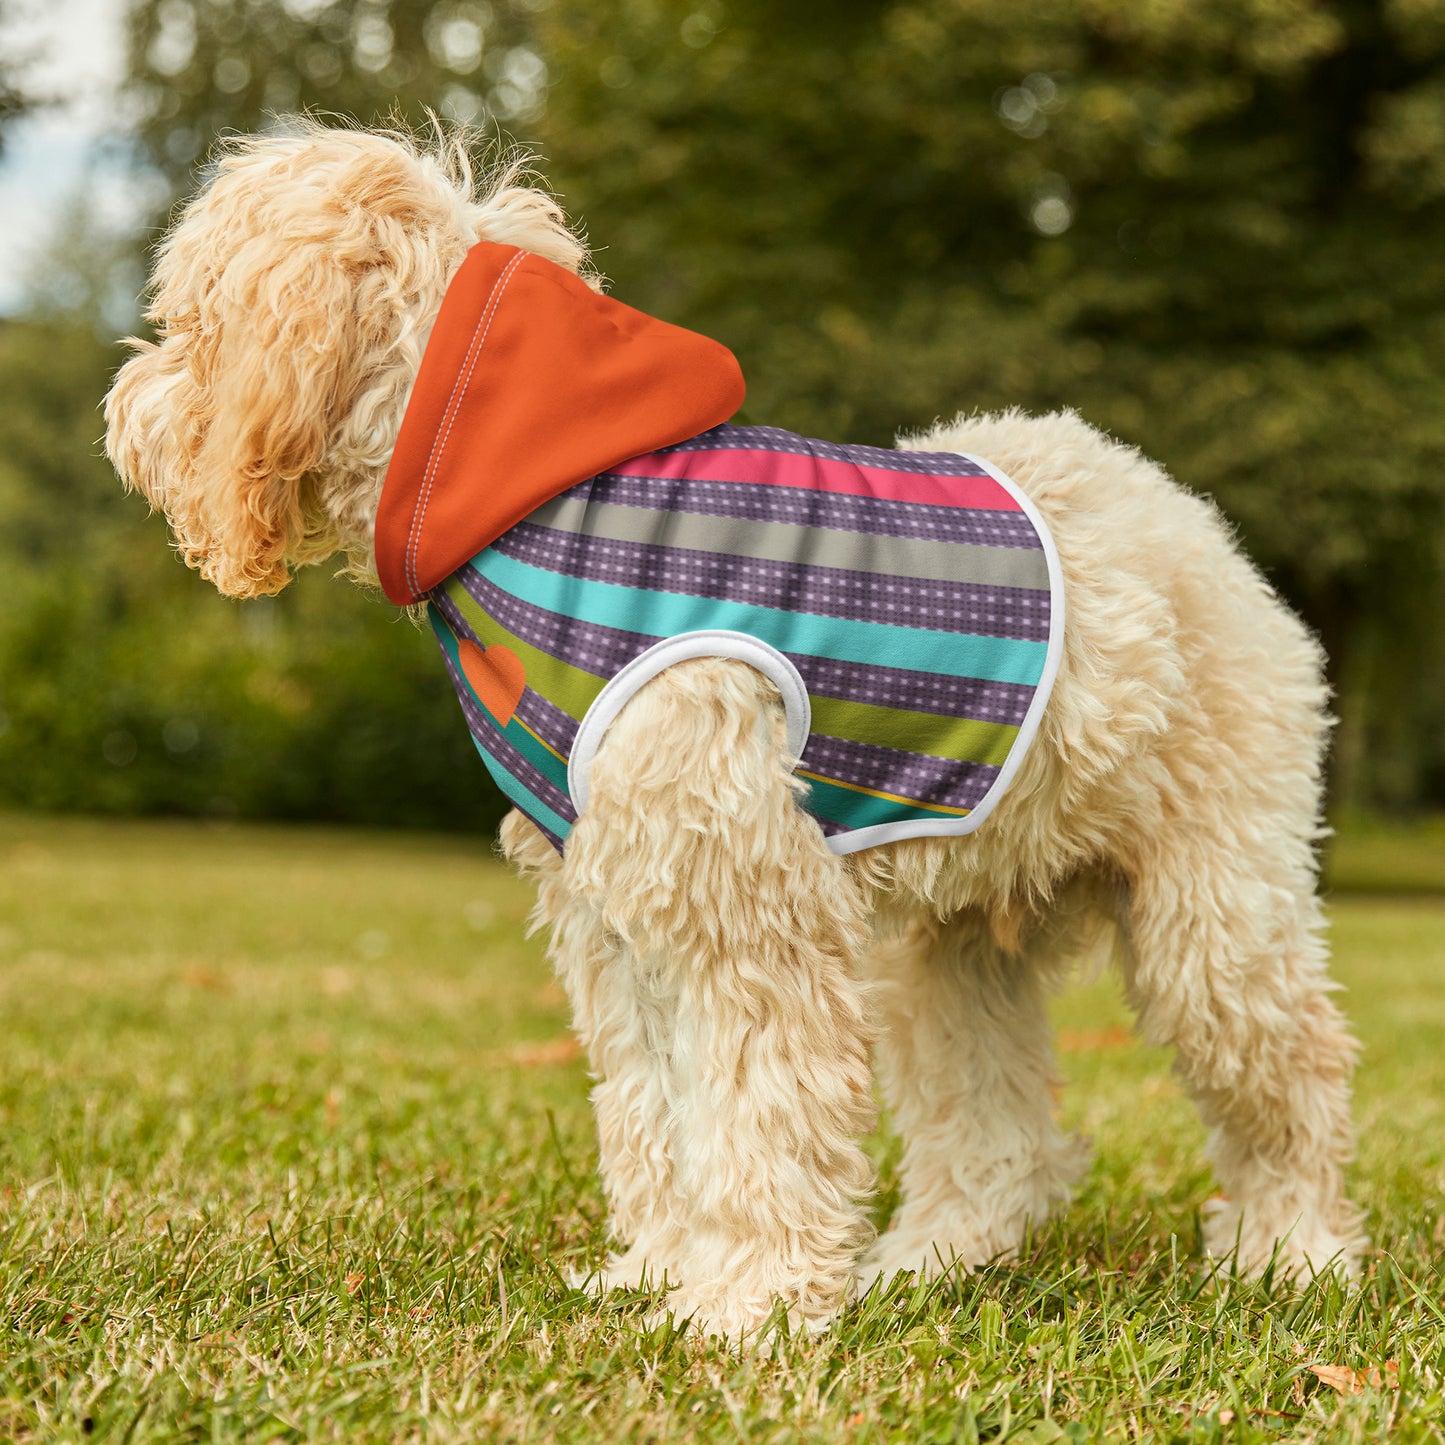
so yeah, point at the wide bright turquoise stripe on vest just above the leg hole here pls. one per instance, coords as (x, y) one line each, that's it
(871, 645)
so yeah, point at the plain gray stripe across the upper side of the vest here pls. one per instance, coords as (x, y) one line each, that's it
(811, 547)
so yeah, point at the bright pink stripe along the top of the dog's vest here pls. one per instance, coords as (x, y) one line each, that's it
(821, 475)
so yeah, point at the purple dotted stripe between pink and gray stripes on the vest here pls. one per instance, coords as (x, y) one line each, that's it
(807, 508)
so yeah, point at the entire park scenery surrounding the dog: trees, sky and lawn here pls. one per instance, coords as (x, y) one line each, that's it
(296, 1142)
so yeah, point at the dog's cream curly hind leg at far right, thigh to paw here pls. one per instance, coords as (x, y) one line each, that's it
(1226, 956)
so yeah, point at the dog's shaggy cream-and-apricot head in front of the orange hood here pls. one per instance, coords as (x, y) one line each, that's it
(293, 303)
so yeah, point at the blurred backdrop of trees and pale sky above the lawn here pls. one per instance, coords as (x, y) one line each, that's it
(1215, 228)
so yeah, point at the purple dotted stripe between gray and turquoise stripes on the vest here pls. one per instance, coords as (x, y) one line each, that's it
(824, 592)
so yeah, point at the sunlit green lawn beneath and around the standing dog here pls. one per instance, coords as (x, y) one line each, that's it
(293, 1147)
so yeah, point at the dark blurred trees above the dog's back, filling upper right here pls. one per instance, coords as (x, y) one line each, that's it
(1212, 228)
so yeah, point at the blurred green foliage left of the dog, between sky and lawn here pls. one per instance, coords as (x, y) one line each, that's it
(129, 686)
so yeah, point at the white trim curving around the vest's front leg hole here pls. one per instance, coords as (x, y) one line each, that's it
(706, 644)
